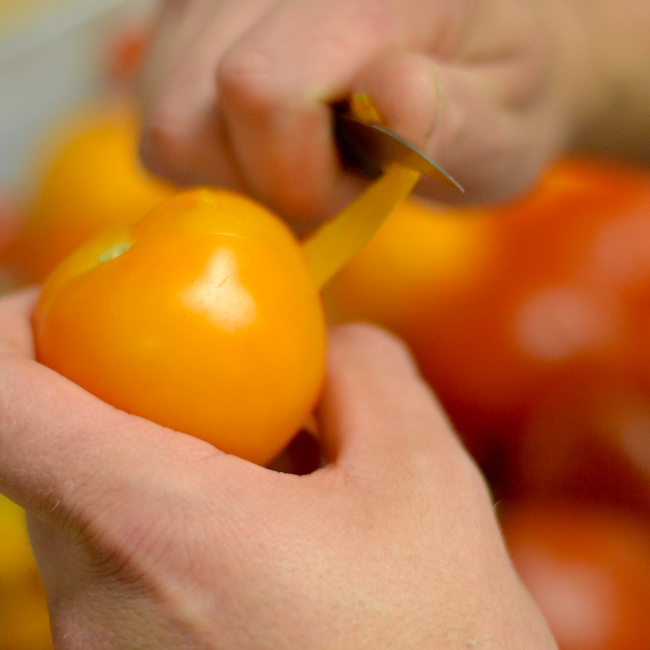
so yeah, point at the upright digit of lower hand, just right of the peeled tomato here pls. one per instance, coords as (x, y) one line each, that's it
(377, 416)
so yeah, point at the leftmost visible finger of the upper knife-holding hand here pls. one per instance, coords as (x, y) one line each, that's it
(182, 135)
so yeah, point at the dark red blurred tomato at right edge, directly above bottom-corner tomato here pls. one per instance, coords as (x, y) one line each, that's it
(588, 440)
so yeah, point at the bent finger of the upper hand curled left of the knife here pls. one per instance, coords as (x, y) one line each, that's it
(275, 86)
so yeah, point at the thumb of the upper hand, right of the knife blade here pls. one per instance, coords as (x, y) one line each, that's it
(467, 119)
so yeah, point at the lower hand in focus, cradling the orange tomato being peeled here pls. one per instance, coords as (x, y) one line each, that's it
(148, 538)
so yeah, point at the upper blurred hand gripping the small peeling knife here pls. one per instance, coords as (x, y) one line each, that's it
(237, 93)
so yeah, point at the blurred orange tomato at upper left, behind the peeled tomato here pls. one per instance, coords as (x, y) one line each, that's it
(92, 181)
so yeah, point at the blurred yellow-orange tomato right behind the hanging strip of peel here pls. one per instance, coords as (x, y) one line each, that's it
(423, 255)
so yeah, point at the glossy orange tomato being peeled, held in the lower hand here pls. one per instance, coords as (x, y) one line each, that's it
(203, 317)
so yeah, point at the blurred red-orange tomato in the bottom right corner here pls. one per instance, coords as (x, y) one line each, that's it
(588, 569)
